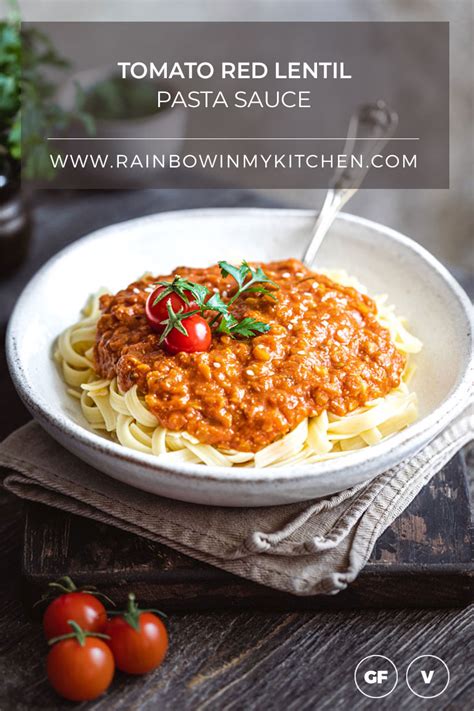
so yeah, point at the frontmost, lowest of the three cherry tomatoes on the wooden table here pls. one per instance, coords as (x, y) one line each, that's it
(80, 671)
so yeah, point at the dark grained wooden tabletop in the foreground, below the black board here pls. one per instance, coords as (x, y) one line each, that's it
(247, 660)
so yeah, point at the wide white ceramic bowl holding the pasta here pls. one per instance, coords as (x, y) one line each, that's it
(387, 262)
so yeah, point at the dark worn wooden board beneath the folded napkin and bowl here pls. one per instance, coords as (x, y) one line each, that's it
(423, 559)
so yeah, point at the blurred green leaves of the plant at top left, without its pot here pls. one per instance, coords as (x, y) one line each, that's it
(28, 113)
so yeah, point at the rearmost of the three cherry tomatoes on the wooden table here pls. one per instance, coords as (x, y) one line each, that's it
(81, 606)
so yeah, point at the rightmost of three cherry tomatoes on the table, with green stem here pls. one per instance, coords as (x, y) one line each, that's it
(138, 640)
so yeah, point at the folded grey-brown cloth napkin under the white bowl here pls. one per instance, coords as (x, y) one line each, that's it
(304, 548)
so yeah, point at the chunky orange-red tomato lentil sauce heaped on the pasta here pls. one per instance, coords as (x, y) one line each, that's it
(325, 350)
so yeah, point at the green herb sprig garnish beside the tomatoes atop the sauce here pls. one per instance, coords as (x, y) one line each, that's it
(249, 281)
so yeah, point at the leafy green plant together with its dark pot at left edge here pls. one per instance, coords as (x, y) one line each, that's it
(28, 112)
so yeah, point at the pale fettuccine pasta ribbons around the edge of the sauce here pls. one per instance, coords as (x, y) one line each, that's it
(125, 418)
